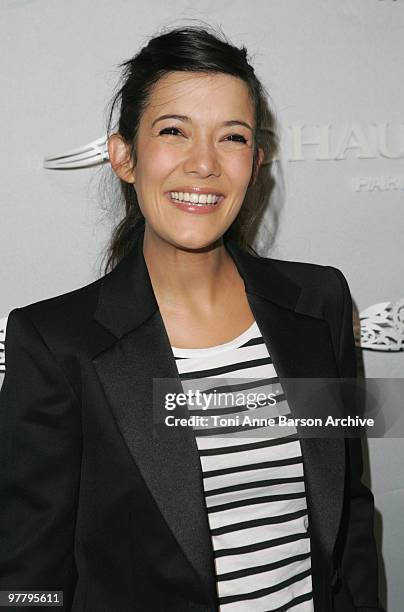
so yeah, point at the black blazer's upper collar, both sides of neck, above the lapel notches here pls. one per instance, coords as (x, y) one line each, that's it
(127, 298)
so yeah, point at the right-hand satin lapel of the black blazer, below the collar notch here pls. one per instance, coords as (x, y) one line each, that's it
(300, 350)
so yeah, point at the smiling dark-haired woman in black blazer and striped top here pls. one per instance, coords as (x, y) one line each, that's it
(102, 501)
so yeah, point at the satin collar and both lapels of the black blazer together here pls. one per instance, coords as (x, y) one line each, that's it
(168, 459)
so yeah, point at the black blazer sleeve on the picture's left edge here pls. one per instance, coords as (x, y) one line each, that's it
(40, 458)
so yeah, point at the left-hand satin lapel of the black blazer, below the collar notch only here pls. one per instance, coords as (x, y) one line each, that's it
(167, 457)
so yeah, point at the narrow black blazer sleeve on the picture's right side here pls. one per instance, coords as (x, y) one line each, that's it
(359, 566)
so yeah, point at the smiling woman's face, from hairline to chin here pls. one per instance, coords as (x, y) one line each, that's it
(194, 137)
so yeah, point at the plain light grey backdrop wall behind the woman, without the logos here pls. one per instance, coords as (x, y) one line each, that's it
(323, 62)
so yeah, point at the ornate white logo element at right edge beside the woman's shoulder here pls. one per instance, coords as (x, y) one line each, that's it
(382, 326)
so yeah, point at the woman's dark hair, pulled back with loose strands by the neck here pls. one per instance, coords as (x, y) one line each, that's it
(196, 49)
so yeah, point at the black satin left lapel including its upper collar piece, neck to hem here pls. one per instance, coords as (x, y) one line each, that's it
(167, 457)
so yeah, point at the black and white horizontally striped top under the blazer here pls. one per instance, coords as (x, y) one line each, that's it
(253, 481)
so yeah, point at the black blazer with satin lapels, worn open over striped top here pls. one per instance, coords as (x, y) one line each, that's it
(95, 504)
